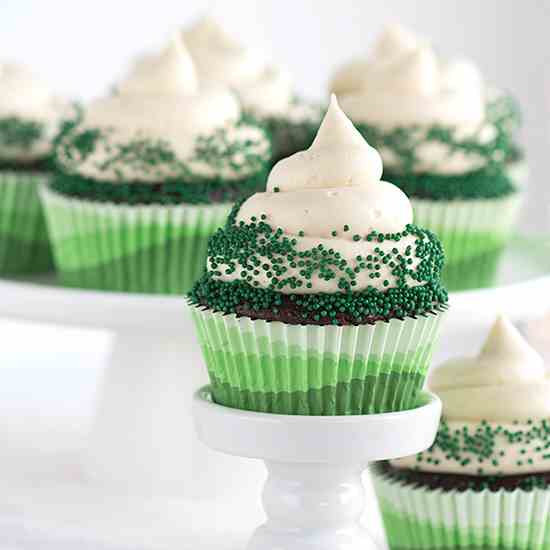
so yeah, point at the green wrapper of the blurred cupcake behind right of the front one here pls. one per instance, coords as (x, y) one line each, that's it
(473, 233)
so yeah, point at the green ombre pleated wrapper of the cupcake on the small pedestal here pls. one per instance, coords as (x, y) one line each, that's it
(316, 370)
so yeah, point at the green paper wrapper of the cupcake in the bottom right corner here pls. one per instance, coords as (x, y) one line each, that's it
(417, 518)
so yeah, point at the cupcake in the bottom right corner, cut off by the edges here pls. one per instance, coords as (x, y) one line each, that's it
(485, 482)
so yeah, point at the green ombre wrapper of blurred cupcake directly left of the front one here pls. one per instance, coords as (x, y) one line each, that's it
(144, 248)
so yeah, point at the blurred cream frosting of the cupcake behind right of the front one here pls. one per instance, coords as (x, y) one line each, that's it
(425, 113)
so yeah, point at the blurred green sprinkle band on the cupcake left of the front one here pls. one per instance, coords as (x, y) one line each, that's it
(146, 161)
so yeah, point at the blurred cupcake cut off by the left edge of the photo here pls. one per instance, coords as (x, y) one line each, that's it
(29, 120)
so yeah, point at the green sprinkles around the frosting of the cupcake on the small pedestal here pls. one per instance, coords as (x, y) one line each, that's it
(256, 246)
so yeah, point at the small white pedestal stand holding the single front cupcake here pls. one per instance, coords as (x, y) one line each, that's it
(314, 496)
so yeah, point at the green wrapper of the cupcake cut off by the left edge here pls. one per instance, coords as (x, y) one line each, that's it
(24, 243)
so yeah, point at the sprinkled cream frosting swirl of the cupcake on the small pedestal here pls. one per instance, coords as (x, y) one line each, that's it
(327, 225)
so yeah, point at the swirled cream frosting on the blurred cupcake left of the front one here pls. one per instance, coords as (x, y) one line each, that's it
(161, 125)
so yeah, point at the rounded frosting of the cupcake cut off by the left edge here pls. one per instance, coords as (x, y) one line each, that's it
(29, 115)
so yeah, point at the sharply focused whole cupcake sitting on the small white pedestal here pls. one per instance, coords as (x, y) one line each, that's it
(320, 296)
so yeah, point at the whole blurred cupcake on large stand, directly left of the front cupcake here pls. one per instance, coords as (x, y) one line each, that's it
(147, 175)
